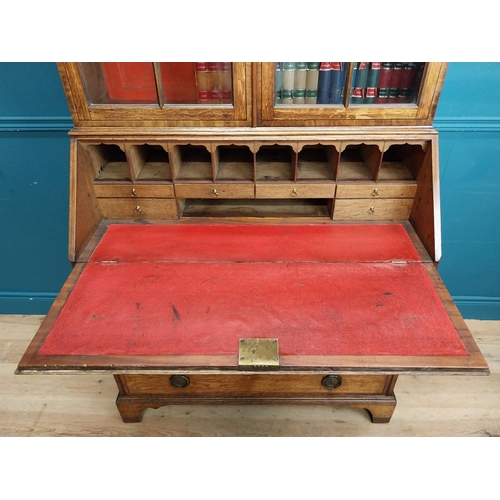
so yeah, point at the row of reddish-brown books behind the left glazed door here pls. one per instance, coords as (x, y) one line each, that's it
(214, 83)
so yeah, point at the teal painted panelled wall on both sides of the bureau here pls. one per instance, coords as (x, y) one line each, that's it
(34, 185)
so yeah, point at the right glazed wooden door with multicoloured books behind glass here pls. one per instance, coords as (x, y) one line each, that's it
(346, 94)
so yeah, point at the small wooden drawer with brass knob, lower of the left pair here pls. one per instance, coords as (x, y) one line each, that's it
(142, 208)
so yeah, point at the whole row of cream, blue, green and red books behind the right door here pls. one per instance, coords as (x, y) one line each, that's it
(325, 82)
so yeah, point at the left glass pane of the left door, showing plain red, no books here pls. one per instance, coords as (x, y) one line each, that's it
(119, 83)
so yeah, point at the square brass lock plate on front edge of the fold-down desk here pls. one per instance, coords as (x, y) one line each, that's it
(258, 354)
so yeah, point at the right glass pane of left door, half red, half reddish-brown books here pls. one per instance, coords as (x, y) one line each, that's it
(197, 83)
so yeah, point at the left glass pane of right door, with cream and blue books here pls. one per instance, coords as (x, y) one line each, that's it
(310, 83)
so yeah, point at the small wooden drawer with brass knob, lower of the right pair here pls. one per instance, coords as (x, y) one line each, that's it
(372, 209)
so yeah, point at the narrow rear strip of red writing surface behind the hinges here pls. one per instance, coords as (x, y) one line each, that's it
(256, 243)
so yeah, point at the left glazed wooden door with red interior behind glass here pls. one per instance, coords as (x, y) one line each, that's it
(160, 93)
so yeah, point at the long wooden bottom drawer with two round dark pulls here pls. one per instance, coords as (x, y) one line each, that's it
(252, 384)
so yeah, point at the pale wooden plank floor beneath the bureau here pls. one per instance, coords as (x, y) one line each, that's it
(84, 405)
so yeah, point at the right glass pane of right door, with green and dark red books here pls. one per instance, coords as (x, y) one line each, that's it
(386, 82)
